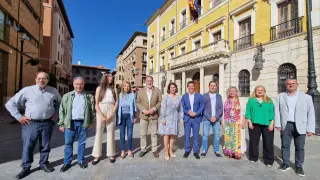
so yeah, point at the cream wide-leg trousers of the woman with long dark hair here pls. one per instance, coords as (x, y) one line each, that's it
(106, 110)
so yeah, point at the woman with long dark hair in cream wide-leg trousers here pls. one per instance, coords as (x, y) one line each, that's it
(106, 106)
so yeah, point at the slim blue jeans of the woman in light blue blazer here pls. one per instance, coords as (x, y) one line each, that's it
(126, 123)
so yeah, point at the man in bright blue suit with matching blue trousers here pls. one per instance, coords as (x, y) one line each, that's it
(193, 106)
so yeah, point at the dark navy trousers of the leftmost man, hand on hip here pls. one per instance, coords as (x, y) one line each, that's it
(30, 135)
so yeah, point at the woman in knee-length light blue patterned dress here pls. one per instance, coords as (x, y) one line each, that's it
(171, 114)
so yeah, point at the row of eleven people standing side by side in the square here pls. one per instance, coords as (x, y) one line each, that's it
(292, 114)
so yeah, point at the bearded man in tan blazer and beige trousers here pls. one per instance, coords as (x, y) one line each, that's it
(148, 102)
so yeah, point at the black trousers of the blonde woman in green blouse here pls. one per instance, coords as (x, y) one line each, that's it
(267, 138)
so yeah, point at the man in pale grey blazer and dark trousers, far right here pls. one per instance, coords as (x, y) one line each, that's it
(295, 118)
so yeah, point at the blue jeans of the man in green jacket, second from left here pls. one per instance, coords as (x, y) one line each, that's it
(69, 136)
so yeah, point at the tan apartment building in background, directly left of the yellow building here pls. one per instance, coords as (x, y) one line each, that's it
(132, 61)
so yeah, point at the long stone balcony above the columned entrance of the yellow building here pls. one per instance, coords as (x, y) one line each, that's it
(212, 49)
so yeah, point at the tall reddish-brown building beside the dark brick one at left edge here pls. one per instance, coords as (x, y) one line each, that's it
(56, 51)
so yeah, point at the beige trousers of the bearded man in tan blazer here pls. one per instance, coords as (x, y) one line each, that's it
(152, 127)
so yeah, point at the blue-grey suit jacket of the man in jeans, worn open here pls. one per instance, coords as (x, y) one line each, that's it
(207, 113)
